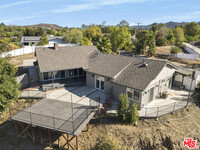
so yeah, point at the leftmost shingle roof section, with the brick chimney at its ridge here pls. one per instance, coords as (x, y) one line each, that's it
(64, 58)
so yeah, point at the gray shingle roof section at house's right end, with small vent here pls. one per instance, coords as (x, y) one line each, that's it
(138, 76)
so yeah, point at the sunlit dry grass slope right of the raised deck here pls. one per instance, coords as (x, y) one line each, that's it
(148, 135)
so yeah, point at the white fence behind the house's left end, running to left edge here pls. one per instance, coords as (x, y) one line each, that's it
(30, 49)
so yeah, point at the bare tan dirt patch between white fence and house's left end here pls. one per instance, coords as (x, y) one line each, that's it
(18, 60)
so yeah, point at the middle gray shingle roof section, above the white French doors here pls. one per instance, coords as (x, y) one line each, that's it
(107, 64)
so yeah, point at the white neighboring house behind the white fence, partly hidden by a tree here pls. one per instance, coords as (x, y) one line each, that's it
(33, 40)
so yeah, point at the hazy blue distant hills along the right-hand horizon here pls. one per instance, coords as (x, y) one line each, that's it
(170, 24)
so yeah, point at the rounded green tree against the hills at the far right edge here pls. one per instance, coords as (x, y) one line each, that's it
(192, 29)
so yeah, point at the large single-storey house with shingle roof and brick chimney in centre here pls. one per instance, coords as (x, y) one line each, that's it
(143, 80)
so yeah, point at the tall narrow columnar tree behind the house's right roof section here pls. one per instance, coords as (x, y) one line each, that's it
(151, 43)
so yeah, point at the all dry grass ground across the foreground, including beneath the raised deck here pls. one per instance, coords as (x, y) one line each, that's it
(148, 134)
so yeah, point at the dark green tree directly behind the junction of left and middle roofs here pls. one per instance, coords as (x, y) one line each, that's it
(104, 44)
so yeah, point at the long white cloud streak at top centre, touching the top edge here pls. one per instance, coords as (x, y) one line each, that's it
(91, 4)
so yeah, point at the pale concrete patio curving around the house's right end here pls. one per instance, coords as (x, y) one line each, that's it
(177, 99)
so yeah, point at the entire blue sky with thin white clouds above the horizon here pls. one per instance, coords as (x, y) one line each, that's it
(74, 13)
